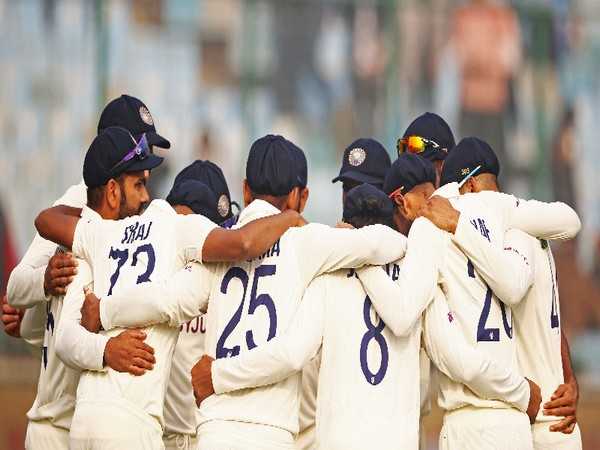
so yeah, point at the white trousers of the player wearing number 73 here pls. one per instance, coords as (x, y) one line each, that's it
(99, 426)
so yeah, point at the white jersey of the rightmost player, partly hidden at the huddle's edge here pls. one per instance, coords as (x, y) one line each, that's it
(537, 325)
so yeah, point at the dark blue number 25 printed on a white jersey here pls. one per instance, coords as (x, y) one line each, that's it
(265, 300)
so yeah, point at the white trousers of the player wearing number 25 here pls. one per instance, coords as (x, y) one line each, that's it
(229, 435)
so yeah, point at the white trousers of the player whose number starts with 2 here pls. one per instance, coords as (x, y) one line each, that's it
(471, 428)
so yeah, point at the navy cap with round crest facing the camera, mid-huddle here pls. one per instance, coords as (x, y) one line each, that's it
(365, 161)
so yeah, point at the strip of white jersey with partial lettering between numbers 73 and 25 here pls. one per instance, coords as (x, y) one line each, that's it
(180, 405)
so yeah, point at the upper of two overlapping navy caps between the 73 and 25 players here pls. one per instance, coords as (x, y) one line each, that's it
(210, 174)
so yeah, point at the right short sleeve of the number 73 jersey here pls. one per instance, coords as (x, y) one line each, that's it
(191, 232)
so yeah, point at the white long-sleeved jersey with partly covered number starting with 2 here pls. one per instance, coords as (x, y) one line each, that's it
(485, 321)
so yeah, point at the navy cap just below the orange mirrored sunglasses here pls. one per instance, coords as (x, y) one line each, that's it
(408, 171)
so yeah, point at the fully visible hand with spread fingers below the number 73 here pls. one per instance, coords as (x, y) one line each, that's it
(128, 352)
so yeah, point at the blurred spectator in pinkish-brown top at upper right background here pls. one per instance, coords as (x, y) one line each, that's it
(487, 39)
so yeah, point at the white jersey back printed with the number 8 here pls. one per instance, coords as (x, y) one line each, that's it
(368, 391)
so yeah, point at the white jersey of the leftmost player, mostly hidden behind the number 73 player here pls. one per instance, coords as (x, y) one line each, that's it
(55, 398)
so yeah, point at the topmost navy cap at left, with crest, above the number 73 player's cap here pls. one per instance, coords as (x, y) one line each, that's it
(133, 115)
